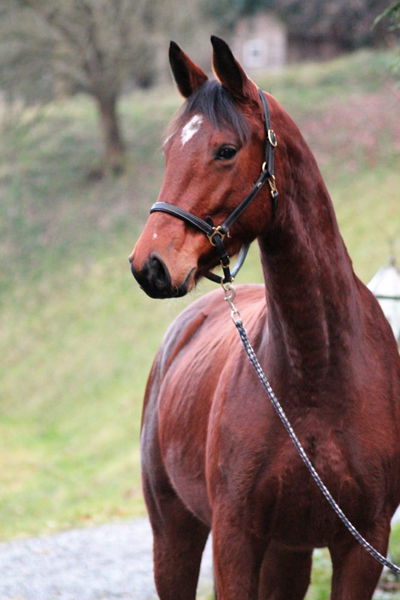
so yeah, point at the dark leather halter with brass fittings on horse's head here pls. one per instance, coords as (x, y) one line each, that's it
(216, 234)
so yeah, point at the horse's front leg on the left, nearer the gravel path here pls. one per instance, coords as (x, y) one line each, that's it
(238, 556)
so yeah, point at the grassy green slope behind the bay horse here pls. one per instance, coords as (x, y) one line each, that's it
(78, 337)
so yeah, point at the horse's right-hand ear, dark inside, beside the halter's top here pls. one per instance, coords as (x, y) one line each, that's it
(230, 73)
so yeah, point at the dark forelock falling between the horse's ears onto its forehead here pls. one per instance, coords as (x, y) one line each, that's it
(216, 103)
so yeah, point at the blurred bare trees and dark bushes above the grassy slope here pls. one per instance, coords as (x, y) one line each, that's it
(106, 47)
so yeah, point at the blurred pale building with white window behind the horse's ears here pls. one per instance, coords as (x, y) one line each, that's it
(259, 42)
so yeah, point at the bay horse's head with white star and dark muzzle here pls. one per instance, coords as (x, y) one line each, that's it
(213, 158)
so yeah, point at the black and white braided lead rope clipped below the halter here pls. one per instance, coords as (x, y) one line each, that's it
(230, 294)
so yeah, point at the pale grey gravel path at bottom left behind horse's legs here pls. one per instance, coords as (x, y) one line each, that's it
(99, 563)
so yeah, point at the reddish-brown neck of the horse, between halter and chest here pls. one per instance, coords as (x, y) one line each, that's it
(312, 298)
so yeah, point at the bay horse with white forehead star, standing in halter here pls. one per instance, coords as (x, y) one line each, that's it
(215, 455)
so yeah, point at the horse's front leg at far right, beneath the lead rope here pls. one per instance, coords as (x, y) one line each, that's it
(355, 572)
